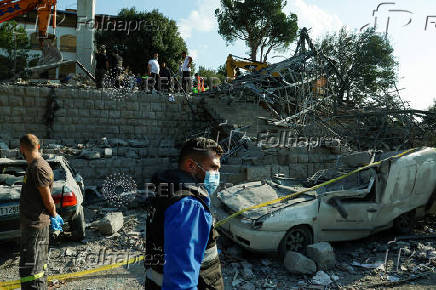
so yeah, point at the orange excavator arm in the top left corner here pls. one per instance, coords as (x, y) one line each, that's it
(10, 9)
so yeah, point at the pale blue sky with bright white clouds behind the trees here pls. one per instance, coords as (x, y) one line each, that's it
(414, 44)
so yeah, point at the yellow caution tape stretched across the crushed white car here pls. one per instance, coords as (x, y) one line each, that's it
(232, 216)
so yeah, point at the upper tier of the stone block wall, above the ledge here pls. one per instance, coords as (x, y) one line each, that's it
(91, 114)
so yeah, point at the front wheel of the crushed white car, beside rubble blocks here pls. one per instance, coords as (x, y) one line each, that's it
(296, 240)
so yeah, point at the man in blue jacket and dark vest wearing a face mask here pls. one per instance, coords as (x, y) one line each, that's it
(181, 250)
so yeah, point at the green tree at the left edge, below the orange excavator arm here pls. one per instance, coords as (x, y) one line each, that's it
(13, 44)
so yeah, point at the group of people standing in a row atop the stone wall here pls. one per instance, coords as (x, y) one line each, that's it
(110, 73)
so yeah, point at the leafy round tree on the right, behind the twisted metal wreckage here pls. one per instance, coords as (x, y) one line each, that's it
(364, 60)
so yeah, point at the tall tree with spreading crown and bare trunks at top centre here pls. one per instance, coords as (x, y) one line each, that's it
(261, 24)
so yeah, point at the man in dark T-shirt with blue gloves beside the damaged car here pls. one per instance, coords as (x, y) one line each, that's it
(37, 212)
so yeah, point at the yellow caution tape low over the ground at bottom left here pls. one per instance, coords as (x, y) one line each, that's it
(16, 284)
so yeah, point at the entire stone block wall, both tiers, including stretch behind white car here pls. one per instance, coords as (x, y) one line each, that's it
(150, 127)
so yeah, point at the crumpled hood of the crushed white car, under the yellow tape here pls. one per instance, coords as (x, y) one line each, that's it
(246, 195)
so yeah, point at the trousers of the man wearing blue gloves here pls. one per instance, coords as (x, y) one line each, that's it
(34, 257)
